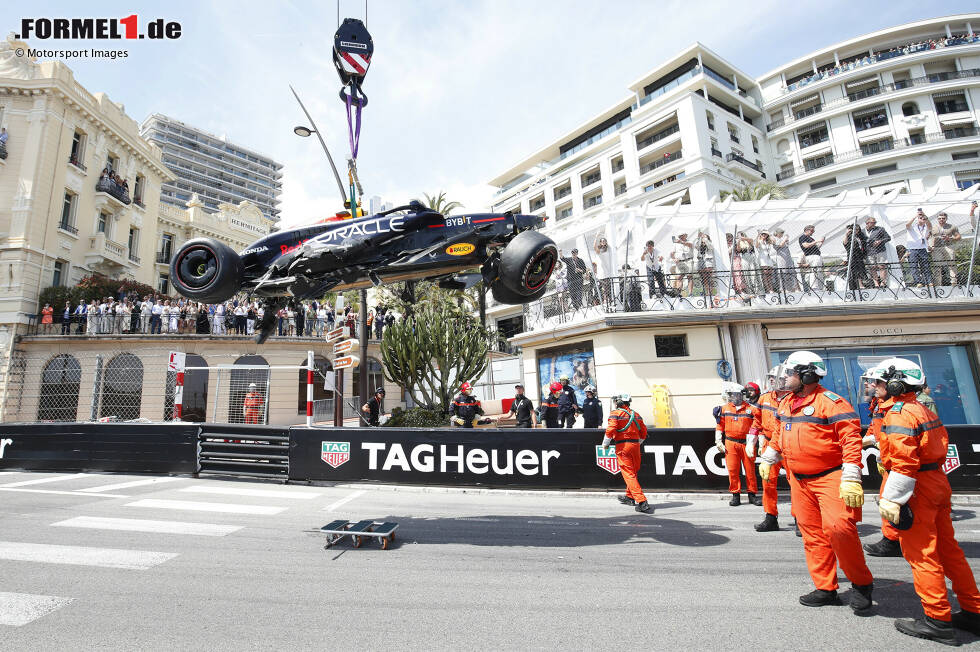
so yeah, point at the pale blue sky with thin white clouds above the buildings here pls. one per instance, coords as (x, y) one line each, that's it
(459, 91)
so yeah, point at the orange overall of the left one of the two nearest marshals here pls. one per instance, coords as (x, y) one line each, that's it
(818, 434)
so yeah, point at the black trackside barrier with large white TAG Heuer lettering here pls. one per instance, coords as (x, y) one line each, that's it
(673, 459)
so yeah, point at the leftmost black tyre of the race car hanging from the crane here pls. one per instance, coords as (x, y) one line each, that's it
(207, 270)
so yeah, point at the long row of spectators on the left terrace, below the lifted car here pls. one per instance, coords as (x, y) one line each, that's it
(131, 314)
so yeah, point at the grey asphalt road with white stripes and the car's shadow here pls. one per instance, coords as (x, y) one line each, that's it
(119, 562)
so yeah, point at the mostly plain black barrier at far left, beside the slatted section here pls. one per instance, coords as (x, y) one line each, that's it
(121, 447)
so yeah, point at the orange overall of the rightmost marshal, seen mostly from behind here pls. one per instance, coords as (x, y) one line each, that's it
(913, 443)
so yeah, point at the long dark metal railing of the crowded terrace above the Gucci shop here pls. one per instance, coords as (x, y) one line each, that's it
(769, 288)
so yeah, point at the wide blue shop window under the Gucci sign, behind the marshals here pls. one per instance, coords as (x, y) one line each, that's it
(948, 370)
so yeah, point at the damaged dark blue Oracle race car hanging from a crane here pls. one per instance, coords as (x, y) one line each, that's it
(410, 242)
